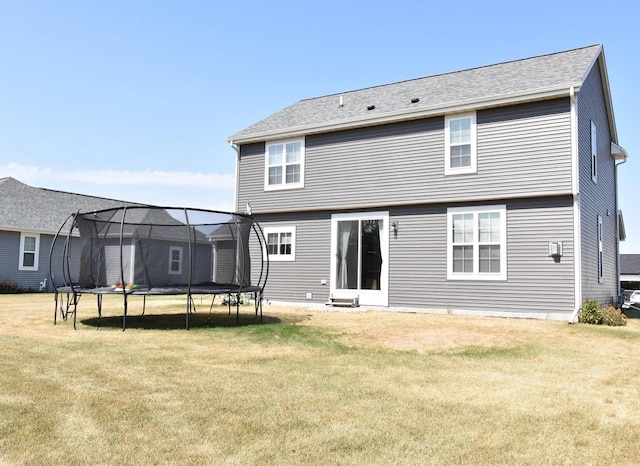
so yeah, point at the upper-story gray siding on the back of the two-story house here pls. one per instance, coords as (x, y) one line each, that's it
(403, 163)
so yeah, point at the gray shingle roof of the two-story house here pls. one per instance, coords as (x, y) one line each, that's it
(528, 76)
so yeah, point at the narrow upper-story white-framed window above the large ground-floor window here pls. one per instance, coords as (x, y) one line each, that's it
(460, 143)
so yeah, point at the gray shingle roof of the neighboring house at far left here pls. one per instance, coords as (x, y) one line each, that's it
(26, 208)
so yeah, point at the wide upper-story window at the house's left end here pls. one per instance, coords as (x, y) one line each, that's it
(284, 164)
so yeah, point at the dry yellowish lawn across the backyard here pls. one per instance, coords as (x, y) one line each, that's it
(307, 387)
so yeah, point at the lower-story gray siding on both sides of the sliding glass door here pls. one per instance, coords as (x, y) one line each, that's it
(418, 261)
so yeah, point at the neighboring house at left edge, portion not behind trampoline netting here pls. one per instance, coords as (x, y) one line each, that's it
(29, 219)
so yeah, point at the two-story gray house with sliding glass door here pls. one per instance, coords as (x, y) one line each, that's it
(489, 190)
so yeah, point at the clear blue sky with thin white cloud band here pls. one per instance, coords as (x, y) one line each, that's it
(134, 99)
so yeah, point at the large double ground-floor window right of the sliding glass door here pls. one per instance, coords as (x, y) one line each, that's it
(476, 243)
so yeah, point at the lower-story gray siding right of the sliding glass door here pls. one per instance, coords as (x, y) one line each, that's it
(535, 282)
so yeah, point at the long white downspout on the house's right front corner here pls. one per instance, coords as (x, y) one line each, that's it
(575, 187)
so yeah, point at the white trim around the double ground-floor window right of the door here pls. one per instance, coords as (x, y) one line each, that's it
(476, 275)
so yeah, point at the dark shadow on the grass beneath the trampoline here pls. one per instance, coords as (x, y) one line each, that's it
(178, 321)
